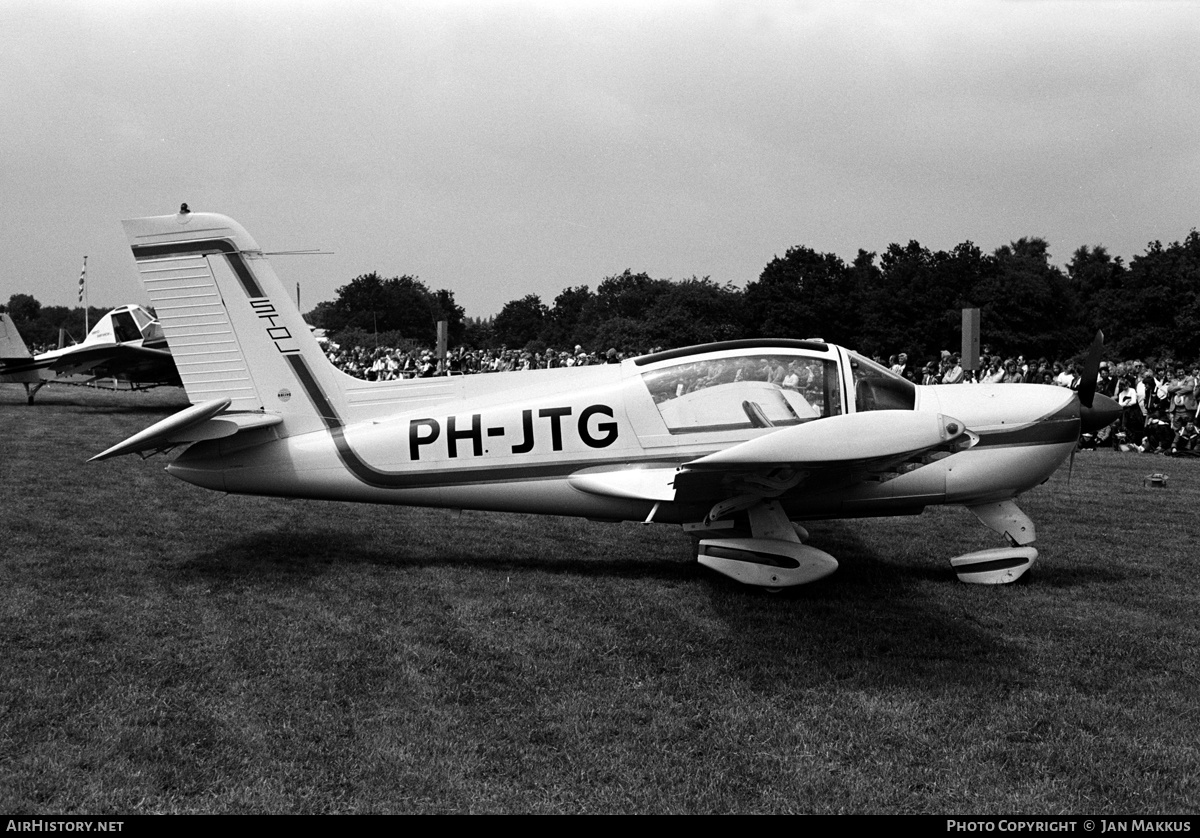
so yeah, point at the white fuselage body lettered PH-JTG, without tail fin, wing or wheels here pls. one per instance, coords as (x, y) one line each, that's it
(520, 441)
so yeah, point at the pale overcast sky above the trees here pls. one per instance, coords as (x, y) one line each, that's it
(502, 149)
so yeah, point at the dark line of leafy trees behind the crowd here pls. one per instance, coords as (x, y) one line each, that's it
(907, 300)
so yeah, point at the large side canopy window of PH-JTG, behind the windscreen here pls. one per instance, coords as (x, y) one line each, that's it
(739, 393)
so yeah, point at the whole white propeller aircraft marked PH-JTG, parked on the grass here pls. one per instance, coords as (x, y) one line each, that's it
(734, 441)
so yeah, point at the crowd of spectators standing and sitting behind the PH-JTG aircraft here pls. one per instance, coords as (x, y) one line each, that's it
(1160, 402)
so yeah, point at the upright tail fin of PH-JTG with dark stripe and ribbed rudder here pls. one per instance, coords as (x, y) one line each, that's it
(233, 331)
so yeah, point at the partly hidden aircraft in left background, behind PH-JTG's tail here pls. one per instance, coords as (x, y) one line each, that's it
(125, 350)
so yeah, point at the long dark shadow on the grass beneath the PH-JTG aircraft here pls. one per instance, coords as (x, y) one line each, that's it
(874, 620)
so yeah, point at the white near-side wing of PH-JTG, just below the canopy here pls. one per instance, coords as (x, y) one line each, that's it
(875, 436)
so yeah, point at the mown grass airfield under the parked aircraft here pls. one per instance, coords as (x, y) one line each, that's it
(169, 650)
